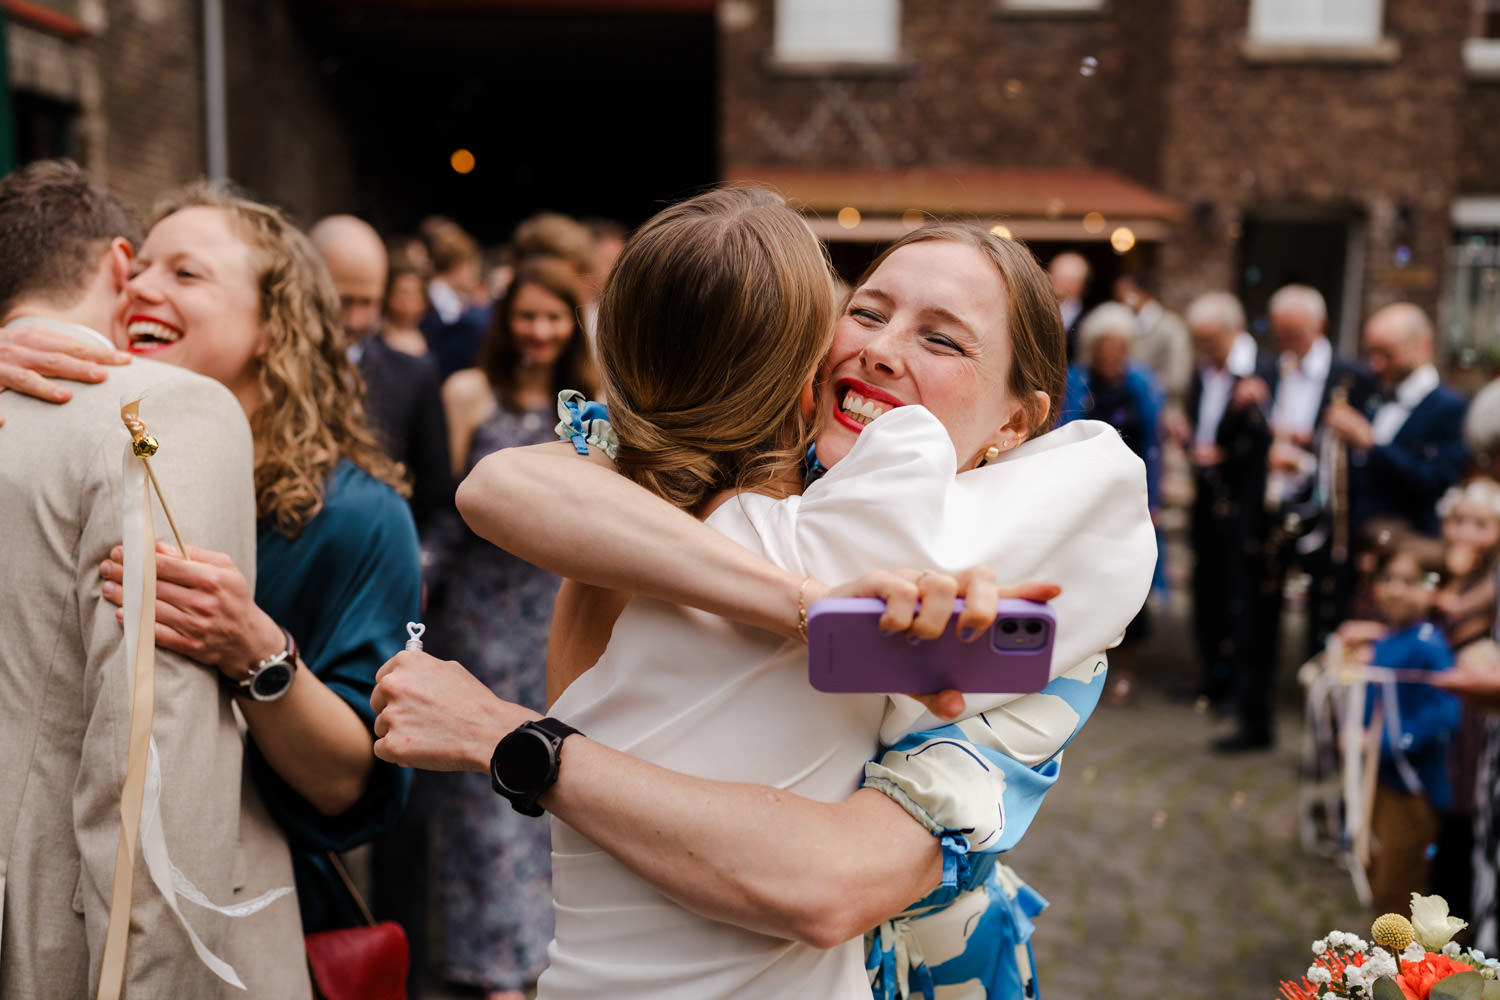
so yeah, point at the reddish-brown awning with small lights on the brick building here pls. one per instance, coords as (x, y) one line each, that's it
(1058, 205)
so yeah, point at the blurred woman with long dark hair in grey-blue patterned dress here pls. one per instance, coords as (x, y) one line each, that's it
(491, 611)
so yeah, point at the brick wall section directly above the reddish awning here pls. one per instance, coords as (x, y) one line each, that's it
(973, 88)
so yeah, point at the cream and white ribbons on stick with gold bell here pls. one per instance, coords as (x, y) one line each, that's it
(142, 800)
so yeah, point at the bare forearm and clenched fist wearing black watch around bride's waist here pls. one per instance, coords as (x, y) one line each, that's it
(751, 855)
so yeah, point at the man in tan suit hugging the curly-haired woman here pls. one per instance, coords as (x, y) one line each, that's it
(65, 690)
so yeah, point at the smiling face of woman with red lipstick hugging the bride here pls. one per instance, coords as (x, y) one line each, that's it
(928, 328)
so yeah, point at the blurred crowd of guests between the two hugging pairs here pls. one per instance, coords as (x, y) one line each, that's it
(464, 353)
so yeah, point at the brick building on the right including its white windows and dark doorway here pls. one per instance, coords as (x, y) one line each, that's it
(1342, 161)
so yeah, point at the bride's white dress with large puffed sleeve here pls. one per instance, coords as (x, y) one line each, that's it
(709, 698)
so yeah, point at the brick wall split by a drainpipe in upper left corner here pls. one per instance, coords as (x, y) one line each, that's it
(119, 86)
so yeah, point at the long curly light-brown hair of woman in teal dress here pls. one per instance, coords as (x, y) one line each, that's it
(313, 410)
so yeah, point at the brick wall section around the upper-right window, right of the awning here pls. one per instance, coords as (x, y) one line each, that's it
(1366, 140)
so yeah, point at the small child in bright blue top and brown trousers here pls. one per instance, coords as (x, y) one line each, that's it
(1418, 722)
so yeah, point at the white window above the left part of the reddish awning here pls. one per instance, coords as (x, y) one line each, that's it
(838, 31)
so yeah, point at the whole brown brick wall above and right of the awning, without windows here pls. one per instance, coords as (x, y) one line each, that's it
(1174, 103)
